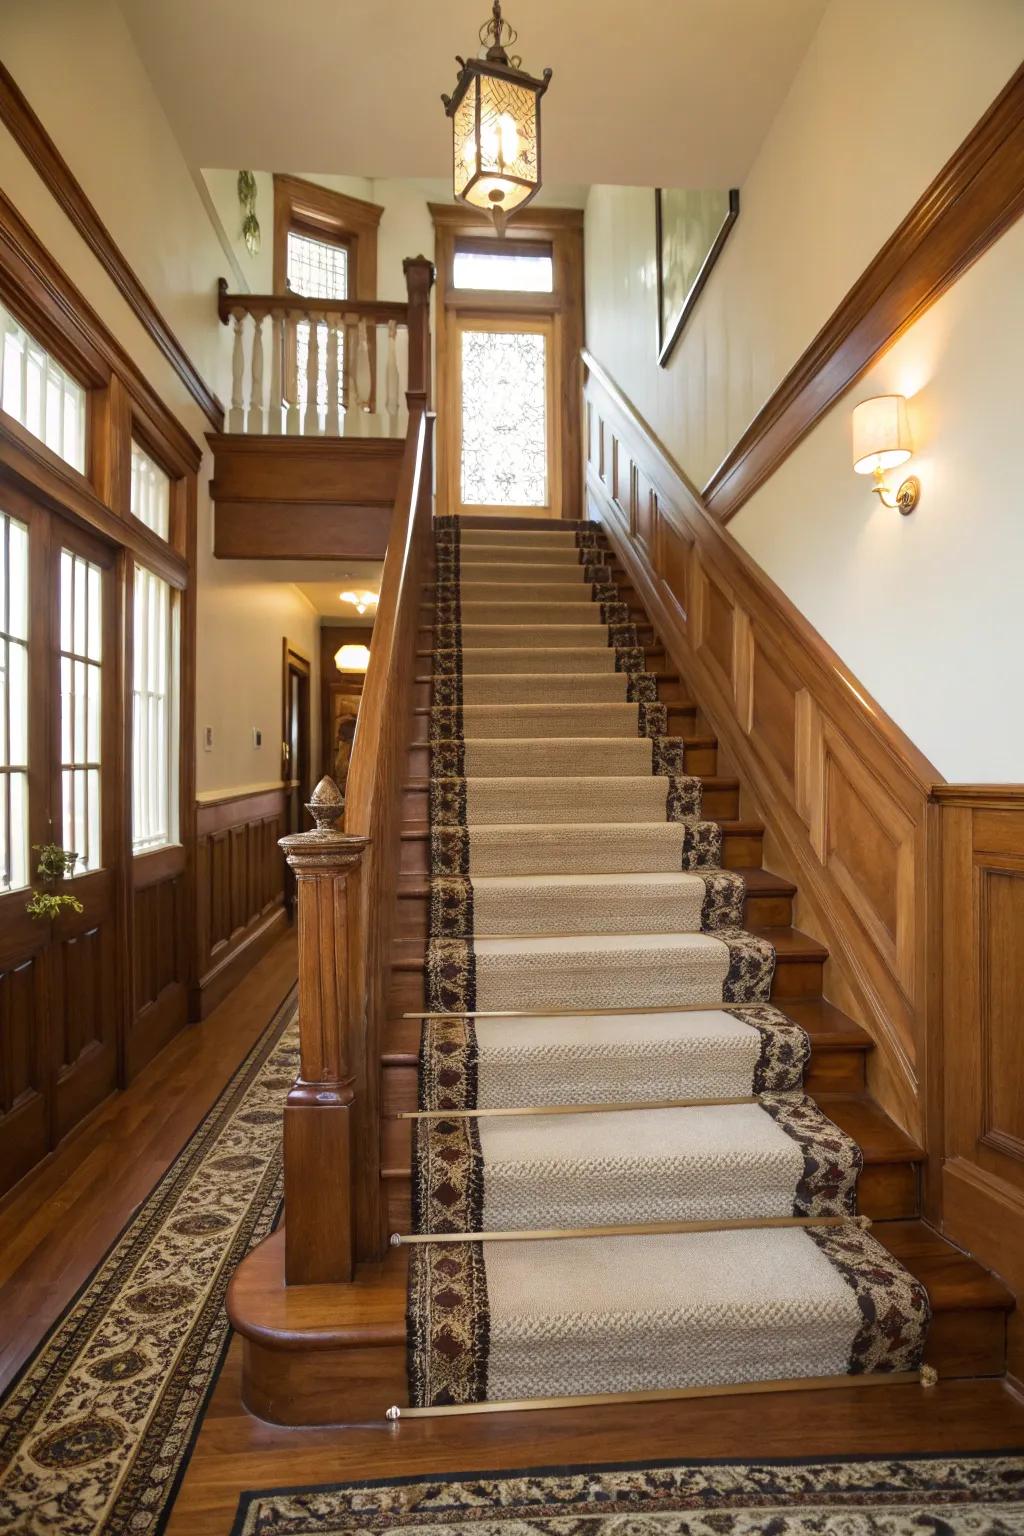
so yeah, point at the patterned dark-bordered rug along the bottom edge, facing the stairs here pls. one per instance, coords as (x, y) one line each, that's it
(903, 1497)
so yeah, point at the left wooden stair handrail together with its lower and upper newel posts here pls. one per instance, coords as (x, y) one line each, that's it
(348, 881)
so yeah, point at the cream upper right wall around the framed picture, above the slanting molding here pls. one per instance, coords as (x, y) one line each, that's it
(887, 91)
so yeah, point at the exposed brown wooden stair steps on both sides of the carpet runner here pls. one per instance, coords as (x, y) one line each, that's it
(337, 1352)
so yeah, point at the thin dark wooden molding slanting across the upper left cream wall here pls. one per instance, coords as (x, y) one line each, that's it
(42, 153)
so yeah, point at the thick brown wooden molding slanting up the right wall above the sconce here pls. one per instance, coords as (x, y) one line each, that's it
(974, 200)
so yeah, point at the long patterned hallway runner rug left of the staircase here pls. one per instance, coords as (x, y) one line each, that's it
(99, 1426)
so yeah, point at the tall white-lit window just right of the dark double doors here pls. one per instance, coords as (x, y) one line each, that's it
(154, 715)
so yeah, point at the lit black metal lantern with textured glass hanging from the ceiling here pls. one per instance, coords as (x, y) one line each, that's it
(495, 114)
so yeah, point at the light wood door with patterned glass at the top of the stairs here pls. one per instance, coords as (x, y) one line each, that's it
(507, 437)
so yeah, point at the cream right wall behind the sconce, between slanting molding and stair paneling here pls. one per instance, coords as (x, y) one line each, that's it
(927, 611)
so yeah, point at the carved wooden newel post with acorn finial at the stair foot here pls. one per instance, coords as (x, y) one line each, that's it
(319, 1139)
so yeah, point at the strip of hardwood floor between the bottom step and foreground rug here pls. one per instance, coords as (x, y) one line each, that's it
(237, 1452)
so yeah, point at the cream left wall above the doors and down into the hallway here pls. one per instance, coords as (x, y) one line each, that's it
(78, 67)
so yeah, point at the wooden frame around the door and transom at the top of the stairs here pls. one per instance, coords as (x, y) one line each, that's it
(549, 231)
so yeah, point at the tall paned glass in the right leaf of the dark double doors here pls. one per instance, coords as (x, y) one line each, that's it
(81, 706)
